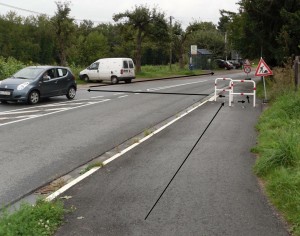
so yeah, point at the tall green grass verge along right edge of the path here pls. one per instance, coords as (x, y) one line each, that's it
(278, 148)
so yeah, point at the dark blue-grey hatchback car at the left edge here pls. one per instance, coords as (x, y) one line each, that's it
(35, 82)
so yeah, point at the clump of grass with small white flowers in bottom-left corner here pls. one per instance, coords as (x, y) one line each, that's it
(44, 218)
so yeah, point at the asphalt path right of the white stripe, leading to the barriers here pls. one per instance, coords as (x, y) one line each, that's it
(214, 193)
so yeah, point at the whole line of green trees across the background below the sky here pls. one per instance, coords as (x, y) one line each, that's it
(261, 27)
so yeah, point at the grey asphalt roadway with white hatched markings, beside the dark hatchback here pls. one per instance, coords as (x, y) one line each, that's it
(41, 143)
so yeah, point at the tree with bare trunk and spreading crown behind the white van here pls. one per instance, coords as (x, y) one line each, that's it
(144, 22)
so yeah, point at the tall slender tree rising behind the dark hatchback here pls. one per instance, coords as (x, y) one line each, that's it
(64, 30)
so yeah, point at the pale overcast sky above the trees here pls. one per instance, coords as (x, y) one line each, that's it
(183, 11)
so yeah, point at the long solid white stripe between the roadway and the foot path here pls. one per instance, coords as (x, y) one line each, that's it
(93, 170)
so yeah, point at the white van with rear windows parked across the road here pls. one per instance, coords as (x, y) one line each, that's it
(110, 69)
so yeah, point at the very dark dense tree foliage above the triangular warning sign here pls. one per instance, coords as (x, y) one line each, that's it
(270, 28)
